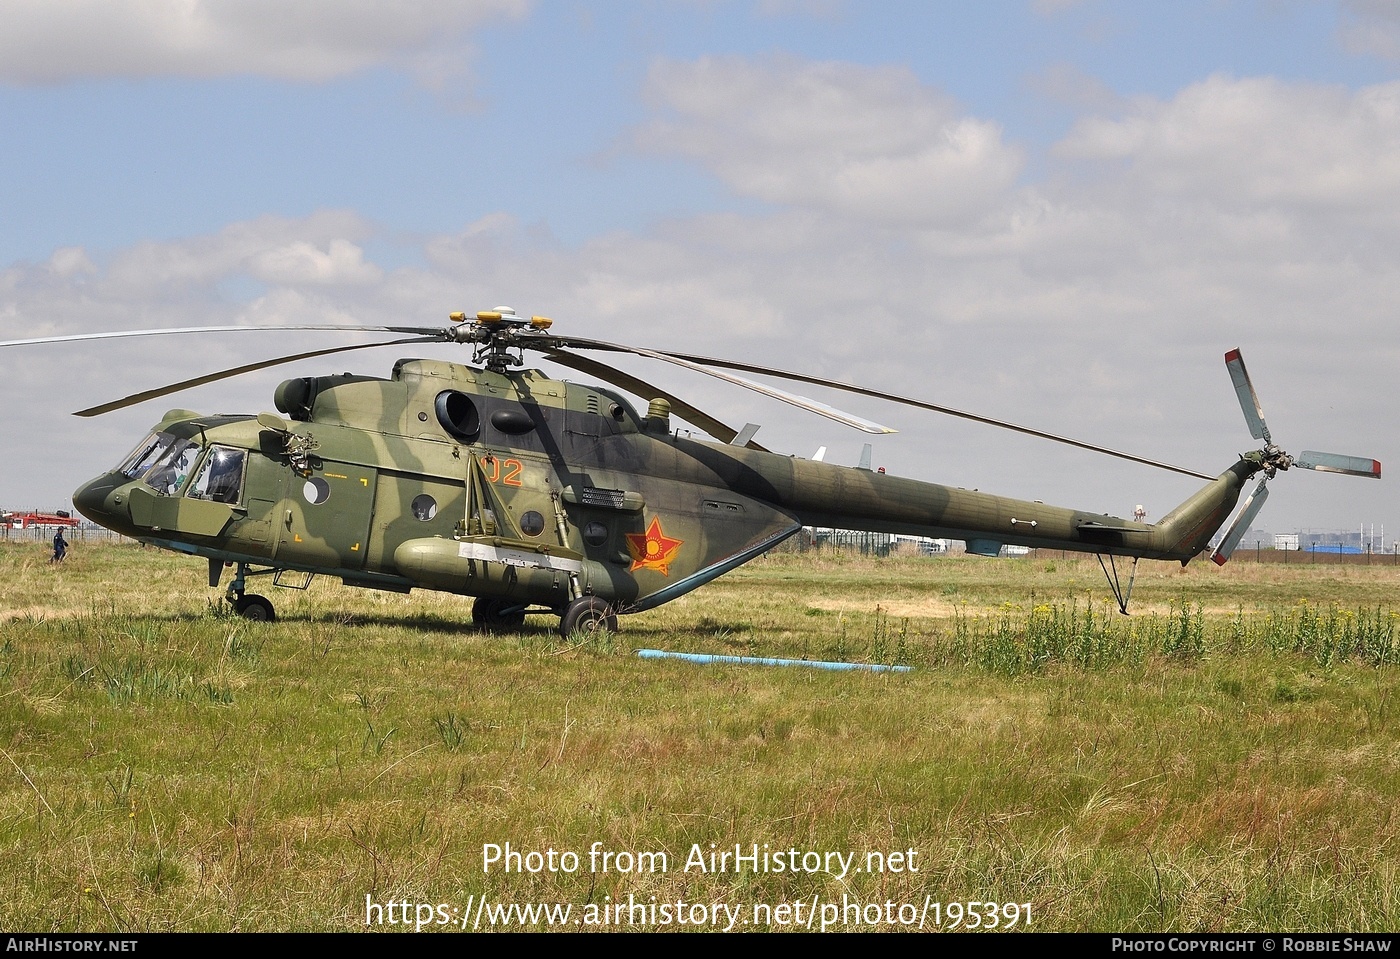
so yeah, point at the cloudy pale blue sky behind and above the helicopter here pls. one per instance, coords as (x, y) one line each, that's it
(1058, 213)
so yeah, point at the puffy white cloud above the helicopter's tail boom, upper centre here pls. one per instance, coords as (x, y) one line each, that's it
(867, 143)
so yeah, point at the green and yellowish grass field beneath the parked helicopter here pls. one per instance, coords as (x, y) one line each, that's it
(1224, 759)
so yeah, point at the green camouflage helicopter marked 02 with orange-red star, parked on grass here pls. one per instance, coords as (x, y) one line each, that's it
(534, 495)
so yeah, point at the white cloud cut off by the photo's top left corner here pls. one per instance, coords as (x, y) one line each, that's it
(47, 41)
